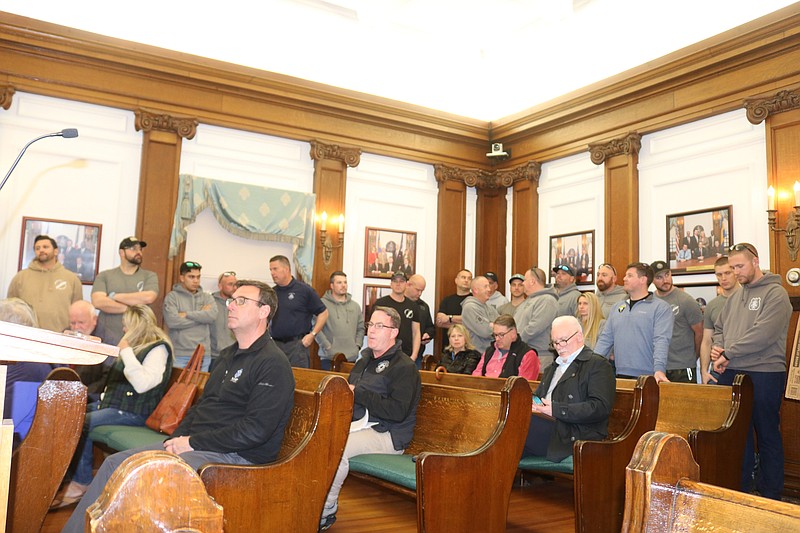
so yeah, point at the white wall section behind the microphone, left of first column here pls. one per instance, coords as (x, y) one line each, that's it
(93, 178)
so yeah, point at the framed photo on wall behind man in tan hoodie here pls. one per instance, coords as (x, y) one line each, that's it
(78, 244)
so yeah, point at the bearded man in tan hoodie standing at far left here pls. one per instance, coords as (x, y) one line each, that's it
(47, 286)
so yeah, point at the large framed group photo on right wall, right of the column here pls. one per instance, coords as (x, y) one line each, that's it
(697, 238)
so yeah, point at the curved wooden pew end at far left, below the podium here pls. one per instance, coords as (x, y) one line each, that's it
(39, 464)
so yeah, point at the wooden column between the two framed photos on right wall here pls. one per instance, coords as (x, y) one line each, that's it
(621, 158)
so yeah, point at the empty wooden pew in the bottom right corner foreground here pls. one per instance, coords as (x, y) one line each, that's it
(663, 494)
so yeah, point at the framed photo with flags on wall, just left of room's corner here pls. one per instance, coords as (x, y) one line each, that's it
(389, 250)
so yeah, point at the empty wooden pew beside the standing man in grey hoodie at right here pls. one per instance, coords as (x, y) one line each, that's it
(715, 420)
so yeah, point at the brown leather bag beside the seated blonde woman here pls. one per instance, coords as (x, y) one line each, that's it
(170, 411)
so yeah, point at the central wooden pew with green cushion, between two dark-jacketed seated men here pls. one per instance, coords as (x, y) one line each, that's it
(468, 459)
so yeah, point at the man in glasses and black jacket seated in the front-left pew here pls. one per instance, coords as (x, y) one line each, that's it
(241, 416)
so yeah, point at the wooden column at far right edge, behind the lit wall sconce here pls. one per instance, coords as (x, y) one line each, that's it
(782, 115)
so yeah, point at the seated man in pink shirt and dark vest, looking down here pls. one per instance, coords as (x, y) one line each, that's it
(508, 355)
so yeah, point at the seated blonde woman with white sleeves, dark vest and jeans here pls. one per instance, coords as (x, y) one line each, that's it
(135, 384)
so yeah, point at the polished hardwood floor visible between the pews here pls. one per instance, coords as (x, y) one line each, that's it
(545, 506)
